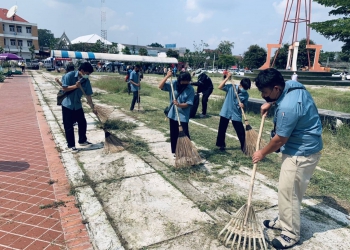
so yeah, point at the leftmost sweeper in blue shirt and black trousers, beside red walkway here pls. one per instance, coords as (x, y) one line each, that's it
(72, 109)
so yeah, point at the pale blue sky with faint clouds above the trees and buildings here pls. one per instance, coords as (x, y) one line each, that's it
(183, 22)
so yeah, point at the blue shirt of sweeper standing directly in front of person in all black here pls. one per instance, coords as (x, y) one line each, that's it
(186, 96)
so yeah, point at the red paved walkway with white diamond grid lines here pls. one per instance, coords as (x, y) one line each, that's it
(28, 161)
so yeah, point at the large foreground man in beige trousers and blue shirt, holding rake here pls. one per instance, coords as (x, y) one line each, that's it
(298, 130)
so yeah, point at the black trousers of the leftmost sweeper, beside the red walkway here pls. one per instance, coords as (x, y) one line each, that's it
(69, 118)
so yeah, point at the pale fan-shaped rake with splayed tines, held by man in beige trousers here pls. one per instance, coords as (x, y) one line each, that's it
(245, 225)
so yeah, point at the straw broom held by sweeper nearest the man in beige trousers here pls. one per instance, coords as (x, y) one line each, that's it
(250, 133)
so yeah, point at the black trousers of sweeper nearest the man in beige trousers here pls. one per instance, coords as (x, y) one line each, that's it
(239, 128)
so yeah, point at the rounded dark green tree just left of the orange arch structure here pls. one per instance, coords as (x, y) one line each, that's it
(254, 57)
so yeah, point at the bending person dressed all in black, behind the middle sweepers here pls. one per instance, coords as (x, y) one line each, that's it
(205, 86)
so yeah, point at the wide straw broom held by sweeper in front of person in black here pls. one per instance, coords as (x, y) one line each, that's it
(186, 153)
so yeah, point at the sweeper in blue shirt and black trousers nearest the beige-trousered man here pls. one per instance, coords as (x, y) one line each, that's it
(231, 110)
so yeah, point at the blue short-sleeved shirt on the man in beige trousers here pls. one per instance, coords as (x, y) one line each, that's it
(296, 117)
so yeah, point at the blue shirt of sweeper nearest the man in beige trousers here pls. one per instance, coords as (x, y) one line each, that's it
(231, 109)
